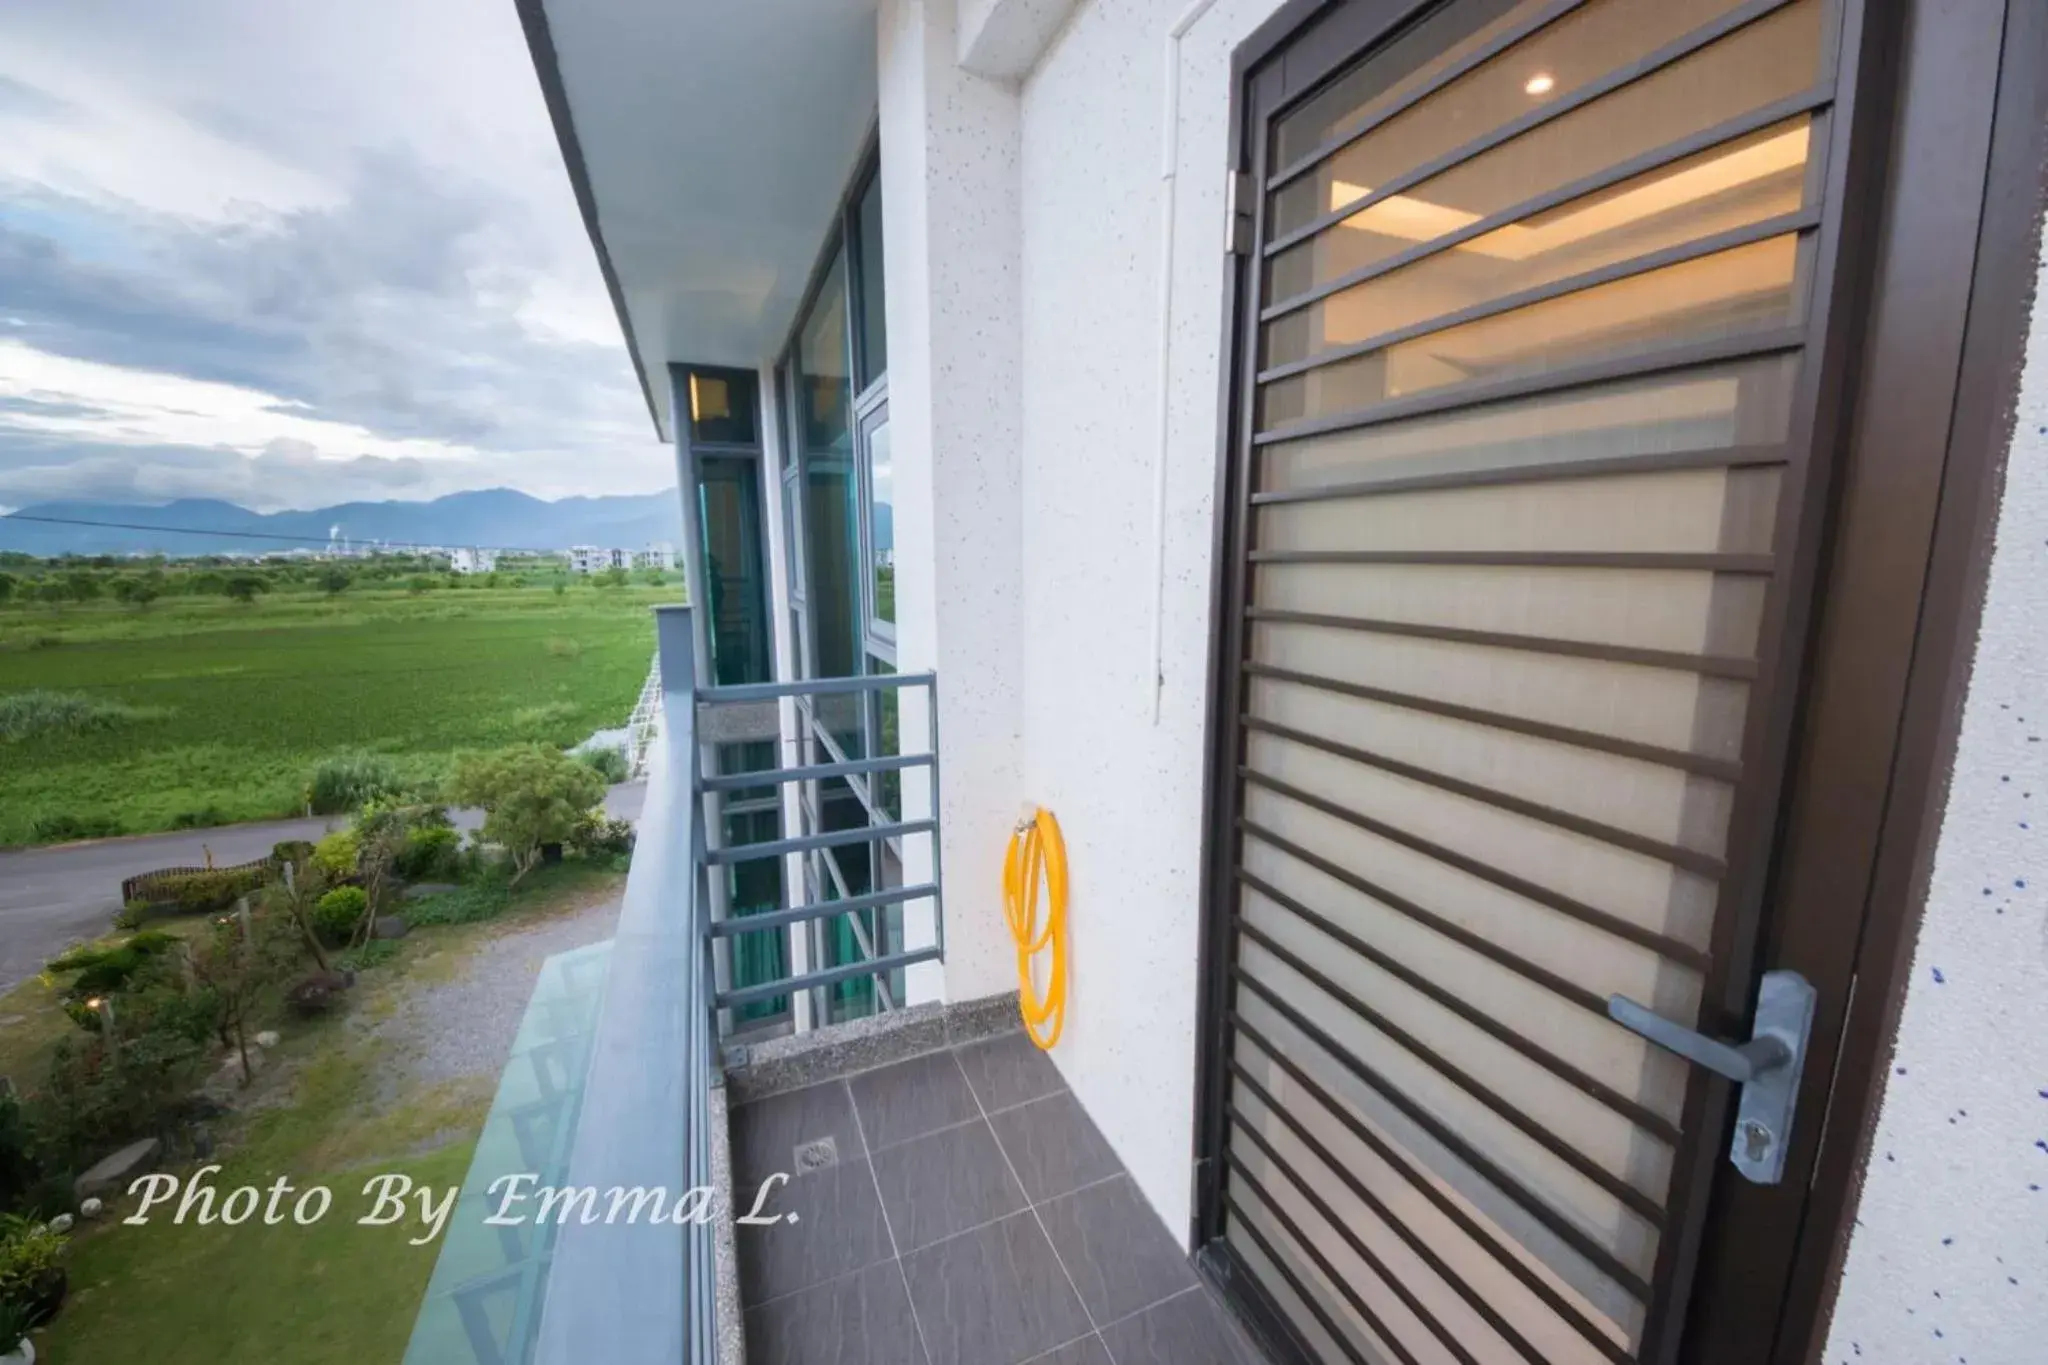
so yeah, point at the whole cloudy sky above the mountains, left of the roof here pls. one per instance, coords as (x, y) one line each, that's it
(296, 253)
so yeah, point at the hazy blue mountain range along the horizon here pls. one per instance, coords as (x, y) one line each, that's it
(497, 519)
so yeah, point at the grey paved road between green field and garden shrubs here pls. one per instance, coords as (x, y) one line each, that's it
(56, 897)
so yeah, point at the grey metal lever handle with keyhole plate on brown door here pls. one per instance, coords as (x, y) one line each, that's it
(1768, 1067)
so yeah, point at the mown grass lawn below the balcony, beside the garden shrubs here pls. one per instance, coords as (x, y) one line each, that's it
(321, 1114)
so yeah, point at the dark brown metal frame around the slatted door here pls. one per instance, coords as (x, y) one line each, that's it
(1947, 263)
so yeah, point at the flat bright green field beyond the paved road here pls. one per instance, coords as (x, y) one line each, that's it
(234, 703)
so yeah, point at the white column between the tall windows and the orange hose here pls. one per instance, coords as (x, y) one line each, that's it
(951, 220)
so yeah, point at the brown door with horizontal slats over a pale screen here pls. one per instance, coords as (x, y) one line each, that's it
(1531, 416)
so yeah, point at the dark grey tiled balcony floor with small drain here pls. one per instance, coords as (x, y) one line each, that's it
(968, 1213)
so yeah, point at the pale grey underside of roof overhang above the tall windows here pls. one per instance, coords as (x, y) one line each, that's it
(710, 144)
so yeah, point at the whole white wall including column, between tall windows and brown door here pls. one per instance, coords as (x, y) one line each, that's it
(1023, 253)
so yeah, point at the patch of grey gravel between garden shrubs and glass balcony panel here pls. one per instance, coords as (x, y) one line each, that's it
(462, 1028)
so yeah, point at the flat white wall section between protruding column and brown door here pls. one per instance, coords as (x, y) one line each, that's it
(1127, 789)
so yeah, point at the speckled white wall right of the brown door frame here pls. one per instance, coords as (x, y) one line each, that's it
(1949, 1262)
